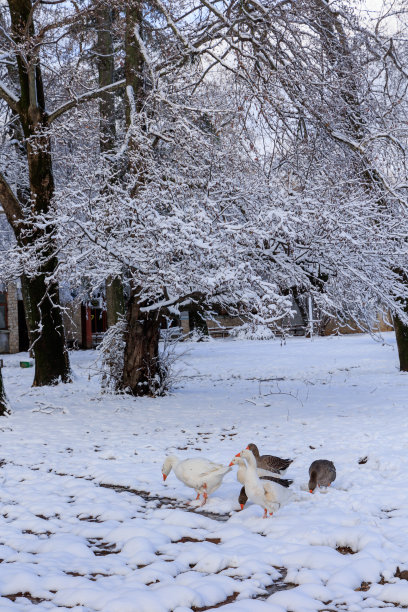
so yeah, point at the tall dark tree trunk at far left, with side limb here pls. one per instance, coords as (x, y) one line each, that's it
(41, 299)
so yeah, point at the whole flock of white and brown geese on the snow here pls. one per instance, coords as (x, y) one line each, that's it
(254, 473)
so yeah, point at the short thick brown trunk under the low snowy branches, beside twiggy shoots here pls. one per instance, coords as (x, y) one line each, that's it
(141, 372)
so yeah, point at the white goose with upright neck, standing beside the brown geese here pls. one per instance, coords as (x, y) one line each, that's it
(267, 494)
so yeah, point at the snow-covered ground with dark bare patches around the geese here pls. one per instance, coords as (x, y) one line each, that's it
(87, 523)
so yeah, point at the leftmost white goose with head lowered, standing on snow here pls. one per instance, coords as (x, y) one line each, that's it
(200, 474)
